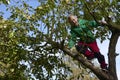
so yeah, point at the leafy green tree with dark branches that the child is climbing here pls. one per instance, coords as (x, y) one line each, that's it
(38, 37)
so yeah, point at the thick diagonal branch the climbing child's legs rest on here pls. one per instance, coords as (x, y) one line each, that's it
(86, 63)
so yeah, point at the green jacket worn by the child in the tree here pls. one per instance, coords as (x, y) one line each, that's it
(83, 32)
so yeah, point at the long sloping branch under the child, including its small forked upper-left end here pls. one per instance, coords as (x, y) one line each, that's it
(76, 55)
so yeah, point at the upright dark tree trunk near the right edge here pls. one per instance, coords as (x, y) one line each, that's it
(112, 54)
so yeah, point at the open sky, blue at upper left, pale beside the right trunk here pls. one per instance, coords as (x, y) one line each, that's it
(103, 46)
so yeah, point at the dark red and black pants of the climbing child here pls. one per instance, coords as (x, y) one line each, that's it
(91, 50)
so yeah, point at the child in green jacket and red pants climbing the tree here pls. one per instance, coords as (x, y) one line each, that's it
(87, 42)
